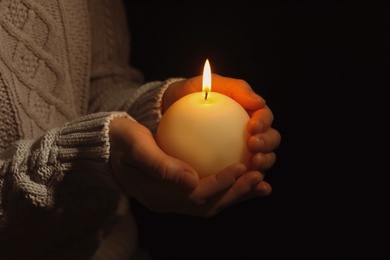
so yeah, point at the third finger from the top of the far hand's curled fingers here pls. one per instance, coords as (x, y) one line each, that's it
(265, 142)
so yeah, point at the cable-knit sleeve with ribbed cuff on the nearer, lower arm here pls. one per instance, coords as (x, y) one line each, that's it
(32, 170)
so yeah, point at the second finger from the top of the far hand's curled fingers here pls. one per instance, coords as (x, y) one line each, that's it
(260, 121)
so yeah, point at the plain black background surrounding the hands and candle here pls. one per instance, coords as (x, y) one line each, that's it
(324, 71)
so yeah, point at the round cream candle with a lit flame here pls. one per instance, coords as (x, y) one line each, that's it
(208, 130)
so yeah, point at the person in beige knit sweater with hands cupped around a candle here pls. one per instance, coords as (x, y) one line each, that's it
(77, 136)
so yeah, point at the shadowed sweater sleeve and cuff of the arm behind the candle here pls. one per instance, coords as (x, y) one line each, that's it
(115, 84)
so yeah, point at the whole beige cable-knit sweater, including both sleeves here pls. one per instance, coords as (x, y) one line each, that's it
(64, 74)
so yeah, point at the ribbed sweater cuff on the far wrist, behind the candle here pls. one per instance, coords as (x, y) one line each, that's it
(147, 108)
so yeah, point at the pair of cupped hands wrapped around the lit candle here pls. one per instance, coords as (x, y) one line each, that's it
(164, 183)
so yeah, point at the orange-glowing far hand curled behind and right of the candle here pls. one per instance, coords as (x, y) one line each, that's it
(263, 138)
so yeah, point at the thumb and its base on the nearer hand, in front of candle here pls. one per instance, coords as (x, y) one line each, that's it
(133, 146)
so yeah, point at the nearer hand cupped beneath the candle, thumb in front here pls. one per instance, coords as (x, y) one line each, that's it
(165, 184)
